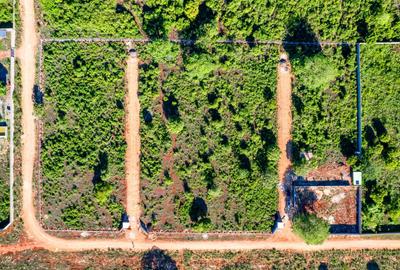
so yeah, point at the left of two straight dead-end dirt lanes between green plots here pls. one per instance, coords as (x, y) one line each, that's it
(132, 158)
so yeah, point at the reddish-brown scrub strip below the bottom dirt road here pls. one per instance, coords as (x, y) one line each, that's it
(158, 259)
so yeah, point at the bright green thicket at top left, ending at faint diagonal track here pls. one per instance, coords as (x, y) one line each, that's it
(94, 18)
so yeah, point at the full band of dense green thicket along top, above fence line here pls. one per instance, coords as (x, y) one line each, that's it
(238, 19)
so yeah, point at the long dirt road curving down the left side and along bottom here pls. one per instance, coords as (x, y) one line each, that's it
(42, 239)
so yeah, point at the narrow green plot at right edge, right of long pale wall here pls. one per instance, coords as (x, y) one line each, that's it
(380, 69)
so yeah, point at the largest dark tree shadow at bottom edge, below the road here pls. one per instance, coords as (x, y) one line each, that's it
(157, 259)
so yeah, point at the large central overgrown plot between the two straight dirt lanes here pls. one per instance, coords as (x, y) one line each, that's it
(208, 137)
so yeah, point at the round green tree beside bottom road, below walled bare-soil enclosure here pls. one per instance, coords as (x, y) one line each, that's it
(312, 229)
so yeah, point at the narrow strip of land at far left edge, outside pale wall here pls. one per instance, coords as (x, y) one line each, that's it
(4, 142)
